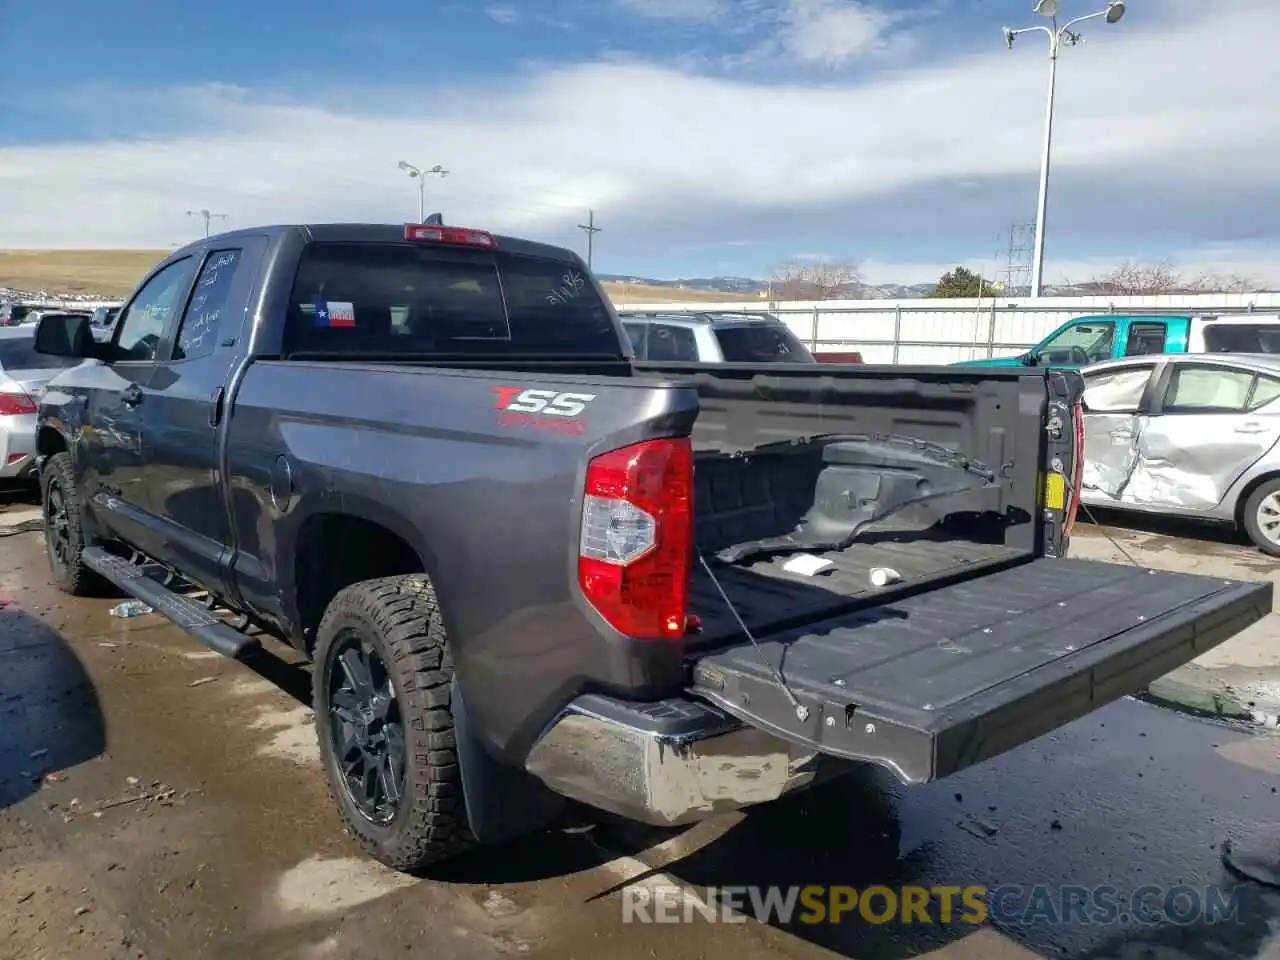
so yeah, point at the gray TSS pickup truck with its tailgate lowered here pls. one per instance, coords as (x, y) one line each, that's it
(528, 568)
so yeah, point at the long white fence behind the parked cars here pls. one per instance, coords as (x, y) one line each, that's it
(947, 331)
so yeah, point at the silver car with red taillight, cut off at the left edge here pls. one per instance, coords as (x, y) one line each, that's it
(24, 373)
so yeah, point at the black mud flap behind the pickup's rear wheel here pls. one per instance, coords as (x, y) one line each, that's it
(502, 802)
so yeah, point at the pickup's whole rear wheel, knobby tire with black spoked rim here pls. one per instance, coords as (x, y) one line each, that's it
(382, 694)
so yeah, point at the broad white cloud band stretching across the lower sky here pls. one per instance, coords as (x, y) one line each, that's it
(682, 156)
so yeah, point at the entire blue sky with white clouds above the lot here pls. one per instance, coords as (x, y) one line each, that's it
(708, 136)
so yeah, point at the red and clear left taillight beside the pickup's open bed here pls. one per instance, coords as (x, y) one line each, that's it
(636, 555)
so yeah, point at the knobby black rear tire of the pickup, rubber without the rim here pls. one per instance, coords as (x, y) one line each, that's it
(401, 619)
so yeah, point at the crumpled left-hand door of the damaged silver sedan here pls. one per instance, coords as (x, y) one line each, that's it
(1114, 404)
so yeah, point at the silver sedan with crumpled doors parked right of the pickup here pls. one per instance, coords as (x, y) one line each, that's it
(1187, 435)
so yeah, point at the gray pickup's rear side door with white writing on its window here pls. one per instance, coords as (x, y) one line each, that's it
(185, 403)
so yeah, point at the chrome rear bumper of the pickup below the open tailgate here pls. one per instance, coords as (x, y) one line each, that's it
(666, 779)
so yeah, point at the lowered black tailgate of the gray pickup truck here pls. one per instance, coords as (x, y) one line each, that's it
(936, 683)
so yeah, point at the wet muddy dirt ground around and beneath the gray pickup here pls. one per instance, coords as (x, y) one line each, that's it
(161, 802)
